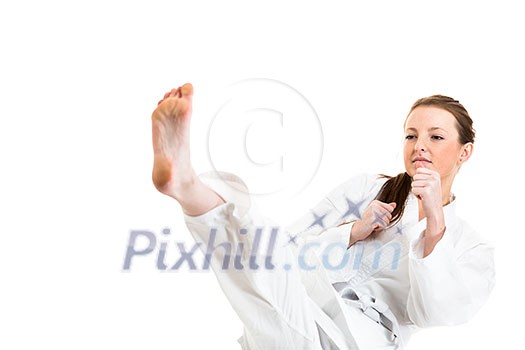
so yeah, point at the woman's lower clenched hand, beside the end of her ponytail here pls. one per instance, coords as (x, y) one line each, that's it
(376, 217)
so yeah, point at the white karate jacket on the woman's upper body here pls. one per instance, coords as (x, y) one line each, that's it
(445, 288)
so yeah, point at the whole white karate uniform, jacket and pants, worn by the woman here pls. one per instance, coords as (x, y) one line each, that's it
(295, 306)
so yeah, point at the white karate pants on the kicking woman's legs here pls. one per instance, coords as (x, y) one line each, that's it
(272, 303)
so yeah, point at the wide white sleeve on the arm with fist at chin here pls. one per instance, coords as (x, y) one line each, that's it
(452, 283)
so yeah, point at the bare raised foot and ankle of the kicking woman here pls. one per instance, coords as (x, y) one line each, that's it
(173, 173)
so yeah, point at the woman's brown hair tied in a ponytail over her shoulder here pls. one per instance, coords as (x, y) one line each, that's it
(397, 188)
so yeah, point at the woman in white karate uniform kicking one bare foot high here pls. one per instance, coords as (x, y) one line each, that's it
(414, 262)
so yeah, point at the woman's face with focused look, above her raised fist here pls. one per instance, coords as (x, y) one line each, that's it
(432, 141)
